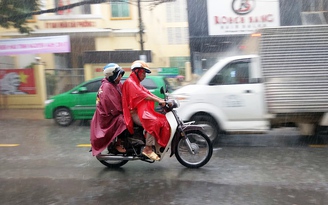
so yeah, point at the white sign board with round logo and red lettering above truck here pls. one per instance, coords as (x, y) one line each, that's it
(228, 17)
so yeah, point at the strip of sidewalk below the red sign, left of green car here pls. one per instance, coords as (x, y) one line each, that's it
(31, 114)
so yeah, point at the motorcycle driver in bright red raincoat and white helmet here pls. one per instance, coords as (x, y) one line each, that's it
(138, 107)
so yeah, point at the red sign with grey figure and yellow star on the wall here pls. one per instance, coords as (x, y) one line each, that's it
(17, 81)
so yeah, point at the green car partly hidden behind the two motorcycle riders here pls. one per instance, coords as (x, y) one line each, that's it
(79, 103)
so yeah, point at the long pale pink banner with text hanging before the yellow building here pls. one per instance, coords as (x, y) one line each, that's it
(49, 44)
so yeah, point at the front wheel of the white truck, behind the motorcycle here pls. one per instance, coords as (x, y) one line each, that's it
(211, 126)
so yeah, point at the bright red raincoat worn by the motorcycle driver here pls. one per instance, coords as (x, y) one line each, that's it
(133, 98)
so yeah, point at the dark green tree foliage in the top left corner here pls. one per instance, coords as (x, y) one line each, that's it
(15, 9)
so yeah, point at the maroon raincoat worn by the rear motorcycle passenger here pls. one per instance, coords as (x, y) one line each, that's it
(107, 122)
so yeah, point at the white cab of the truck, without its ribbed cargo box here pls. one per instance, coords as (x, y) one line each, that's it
(228, 97)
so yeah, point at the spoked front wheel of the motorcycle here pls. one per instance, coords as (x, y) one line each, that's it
(201, 153)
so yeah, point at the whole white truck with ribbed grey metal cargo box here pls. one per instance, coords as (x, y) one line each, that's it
(283, 83)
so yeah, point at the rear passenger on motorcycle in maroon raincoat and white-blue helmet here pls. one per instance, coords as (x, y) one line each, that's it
(107, 123)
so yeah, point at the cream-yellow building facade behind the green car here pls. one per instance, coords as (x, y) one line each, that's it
(115, 31)
